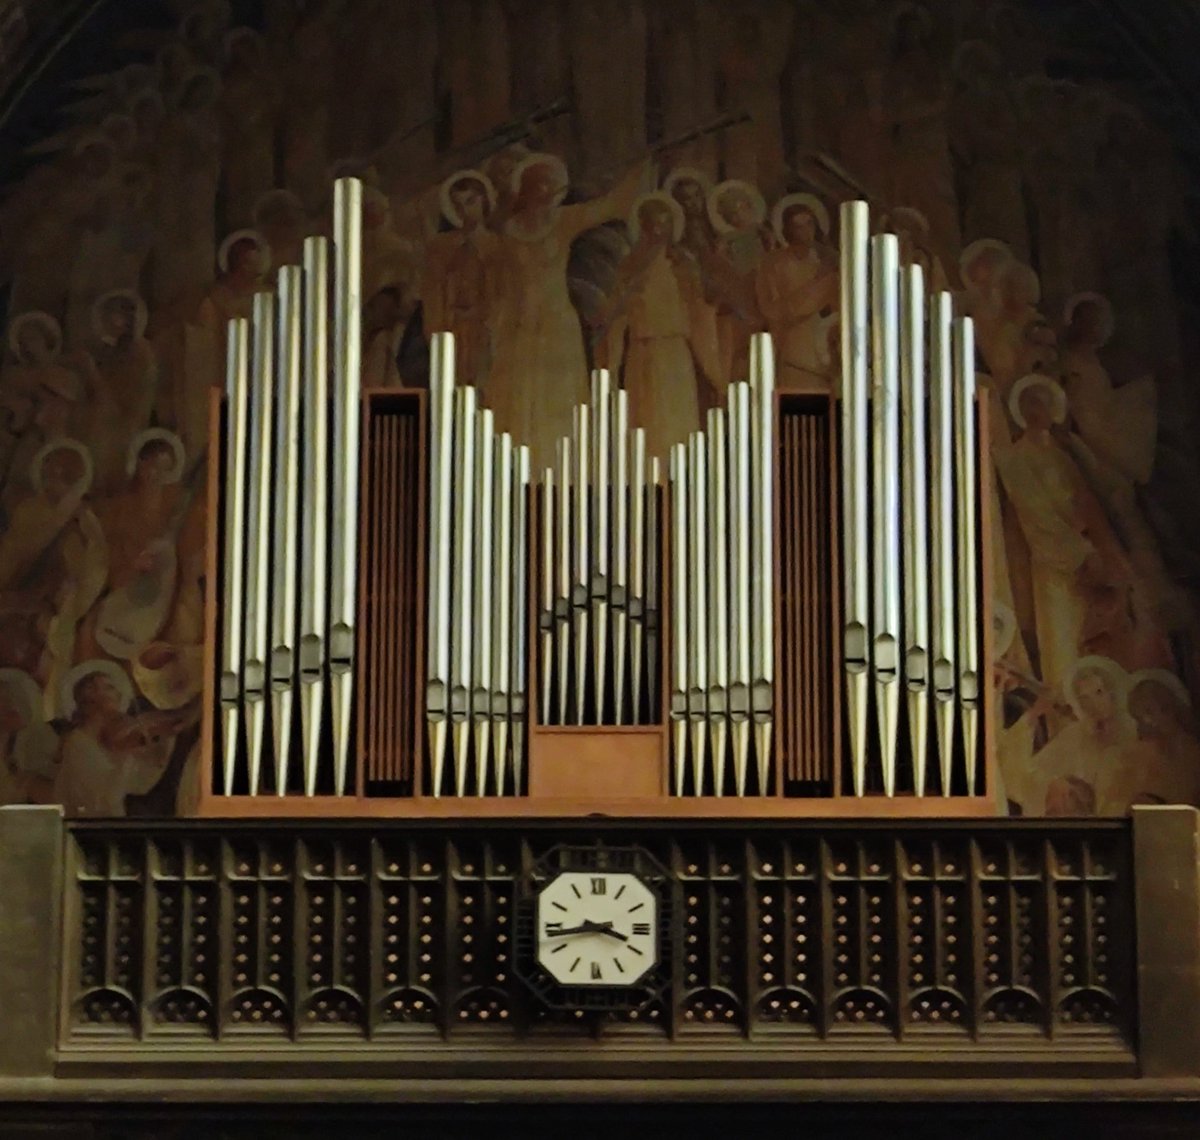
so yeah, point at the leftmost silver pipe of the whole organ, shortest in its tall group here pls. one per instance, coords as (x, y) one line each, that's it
(235, 559)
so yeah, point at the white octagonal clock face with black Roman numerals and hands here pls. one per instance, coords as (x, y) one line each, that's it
(597, 929)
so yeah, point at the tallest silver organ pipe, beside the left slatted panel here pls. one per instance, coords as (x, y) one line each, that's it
(347, 385)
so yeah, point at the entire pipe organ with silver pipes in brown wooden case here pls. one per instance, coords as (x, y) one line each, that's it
(787, 615)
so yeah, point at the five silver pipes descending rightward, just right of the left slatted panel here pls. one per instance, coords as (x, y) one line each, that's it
(477, 659)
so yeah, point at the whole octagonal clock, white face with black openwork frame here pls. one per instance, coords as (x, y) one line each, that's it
(592, 928)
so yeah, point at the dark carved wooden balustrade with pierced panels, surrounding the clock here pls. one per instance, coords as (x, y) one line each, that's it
(971, 944)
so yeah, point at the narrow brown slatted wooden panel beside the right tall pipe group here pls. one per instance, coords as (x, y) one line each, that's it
(805, 629)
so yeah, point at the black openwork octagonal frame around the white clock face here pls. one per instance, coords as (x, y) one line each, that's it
(597, 859)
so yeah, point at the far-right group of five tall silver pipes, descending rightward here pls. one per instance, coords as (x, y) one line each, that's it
(910, 533)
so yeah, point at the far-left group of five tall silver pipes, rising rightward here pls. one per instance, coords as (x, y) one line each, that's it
(291, 520)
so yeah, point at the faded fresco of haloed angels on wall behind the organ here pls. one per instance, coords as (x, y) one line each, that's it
(632, 184)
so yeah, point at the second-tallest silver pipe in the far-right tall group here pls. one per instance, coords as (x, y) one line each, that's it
(886, 496)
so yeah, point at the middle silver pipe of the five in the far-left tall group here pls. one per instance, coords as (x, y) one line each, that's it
(285, 547)
